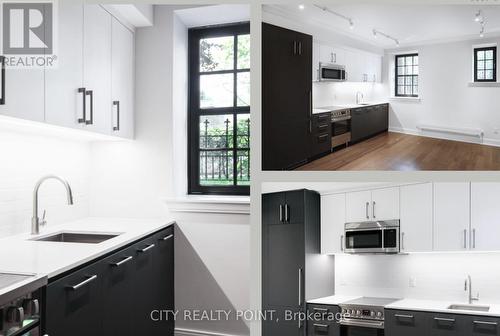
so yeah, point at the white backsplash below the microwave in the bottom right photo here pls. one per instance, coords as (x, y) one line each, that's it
(435, 276)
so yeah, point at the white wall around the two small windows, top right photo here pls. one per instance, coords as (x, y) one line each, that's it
(446, 99)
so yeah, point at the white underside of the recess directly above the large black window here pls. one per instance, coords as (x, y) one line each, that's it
(213, 15)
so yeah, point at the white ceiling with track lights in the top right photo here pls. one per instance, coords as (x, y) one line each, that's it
(411, 24)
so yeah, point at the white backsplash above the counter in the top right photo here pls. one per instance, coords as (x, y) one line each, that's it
(329, 94)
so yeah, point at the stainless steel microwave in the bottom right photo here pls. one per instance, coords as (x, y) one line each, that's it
(372, 237)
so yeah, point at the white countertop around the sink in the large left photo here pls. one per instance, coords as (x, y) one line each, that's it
(21, 255)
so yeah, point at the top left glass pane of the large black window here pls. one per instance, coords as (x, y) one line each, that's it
(217, 53)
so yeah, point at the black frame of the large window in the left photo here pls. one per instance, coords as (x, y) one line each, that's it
(194, 110)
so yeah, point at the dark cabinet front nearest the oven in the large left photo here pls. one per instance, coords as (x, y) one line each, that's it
(73, 305)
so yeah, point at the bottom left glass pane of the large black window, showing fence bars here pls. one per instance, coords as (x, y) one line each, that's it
(216, 168)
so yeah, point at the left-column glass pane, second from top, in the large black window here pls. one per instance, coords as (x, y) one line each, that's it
(216, 90)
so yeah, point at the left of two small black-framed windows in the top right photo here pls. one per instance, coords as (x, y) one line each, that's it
(406, 75)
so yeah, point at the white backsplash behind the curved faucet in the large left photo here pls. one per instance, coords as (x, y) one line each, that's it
(25, 158)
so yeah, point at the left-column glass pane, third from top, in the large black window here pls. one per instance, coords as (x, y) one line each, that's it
(216, 131)
